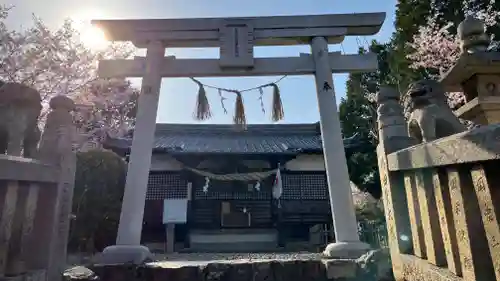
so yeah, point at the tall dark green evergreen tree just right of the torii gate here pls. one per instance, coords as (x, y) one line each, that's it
(358, 113)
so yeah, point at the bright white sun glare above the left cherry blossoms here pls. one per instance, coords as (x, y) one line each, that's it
(91, 36)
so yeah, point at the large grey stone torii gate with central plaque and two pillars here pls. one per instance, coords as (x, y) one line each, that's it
(236, 38)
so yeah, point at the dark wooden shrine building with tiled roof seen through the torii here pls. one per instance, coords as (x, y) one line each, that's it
(215, 188)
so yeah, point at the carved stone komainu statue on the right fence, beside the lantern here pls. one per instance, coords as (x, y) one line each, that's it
(429, 116)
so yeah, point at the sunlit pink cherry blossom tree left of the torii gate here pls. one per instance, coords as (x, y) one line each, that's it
(56, 62)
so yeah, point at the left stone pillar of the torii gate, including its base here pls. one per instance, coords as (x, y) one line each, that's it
(128, 239)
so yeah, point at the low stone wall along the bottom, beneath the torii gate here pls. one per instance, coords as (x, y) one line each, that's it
(373, 266)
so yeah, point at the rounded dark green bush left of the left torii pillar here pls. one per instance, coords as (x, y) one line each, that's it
(99, 184)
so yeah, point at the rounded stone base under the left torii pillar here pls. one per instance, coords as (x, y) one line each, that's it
(123, 254)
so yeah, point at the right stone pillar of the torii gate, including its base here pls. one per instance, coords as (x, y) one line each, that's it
(344, 218)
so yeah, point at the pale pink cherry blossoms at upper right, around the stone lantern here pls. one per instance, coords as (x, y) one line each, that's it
(436, 48)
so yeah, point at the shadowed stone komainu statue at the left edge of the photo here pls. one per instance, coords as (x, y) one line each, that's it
(20, 108)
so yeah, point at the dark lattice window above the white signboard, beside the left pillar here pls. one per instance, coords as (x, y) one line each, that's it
(166, 186)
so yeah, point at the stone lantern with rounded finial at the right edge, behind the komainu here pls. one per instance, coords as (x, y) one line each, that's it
(477, 74)
